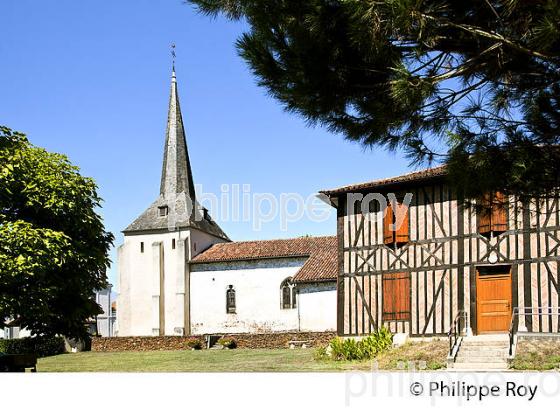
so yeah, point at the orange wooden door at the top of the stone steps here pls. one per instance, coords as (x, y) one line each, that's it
(493, 299)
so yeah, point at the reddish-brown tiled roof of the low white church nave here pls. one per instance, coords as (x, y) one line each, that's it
(321, 253)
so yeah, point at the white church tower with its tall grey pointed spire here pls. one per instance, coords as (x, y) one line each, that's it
(153, 261)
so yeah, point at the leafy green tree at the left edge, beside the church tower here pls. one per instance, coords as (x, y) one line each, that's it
(53, 245)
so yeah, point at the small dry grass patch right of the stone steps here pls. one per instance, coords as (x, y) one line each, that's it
(537, 355)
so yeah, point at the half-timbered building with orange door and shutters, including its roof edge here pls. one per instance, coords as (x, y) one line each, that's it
(414, 257)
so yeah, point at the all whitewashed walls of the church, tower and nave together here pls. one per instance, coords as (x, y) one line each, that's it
(257, 285)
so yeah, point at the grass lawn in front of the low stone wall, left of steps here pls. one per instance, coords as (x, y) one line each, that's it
(238, 360)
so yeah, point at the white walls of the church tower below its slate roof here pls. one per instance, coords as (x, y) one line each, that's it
(139, 280)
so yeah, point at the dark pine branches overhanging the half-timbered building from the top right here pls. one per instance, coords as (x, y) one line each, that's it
(473, 84)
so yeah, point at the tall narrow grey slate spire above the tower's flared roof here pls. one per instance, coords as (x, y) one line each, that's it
(176, 174)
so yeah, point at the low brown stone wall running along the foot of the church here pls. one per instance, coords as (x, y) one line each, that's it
(244, 341)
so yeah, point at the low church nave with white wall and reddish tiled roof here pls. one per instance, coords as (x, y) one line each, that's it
(265, 286)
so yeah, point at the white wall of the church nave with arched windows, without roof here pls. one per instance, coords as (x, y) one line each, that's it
(258, 298)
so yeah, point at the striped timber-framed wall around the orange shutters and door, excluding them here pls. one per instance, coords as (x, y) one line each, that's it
(441, 257)
